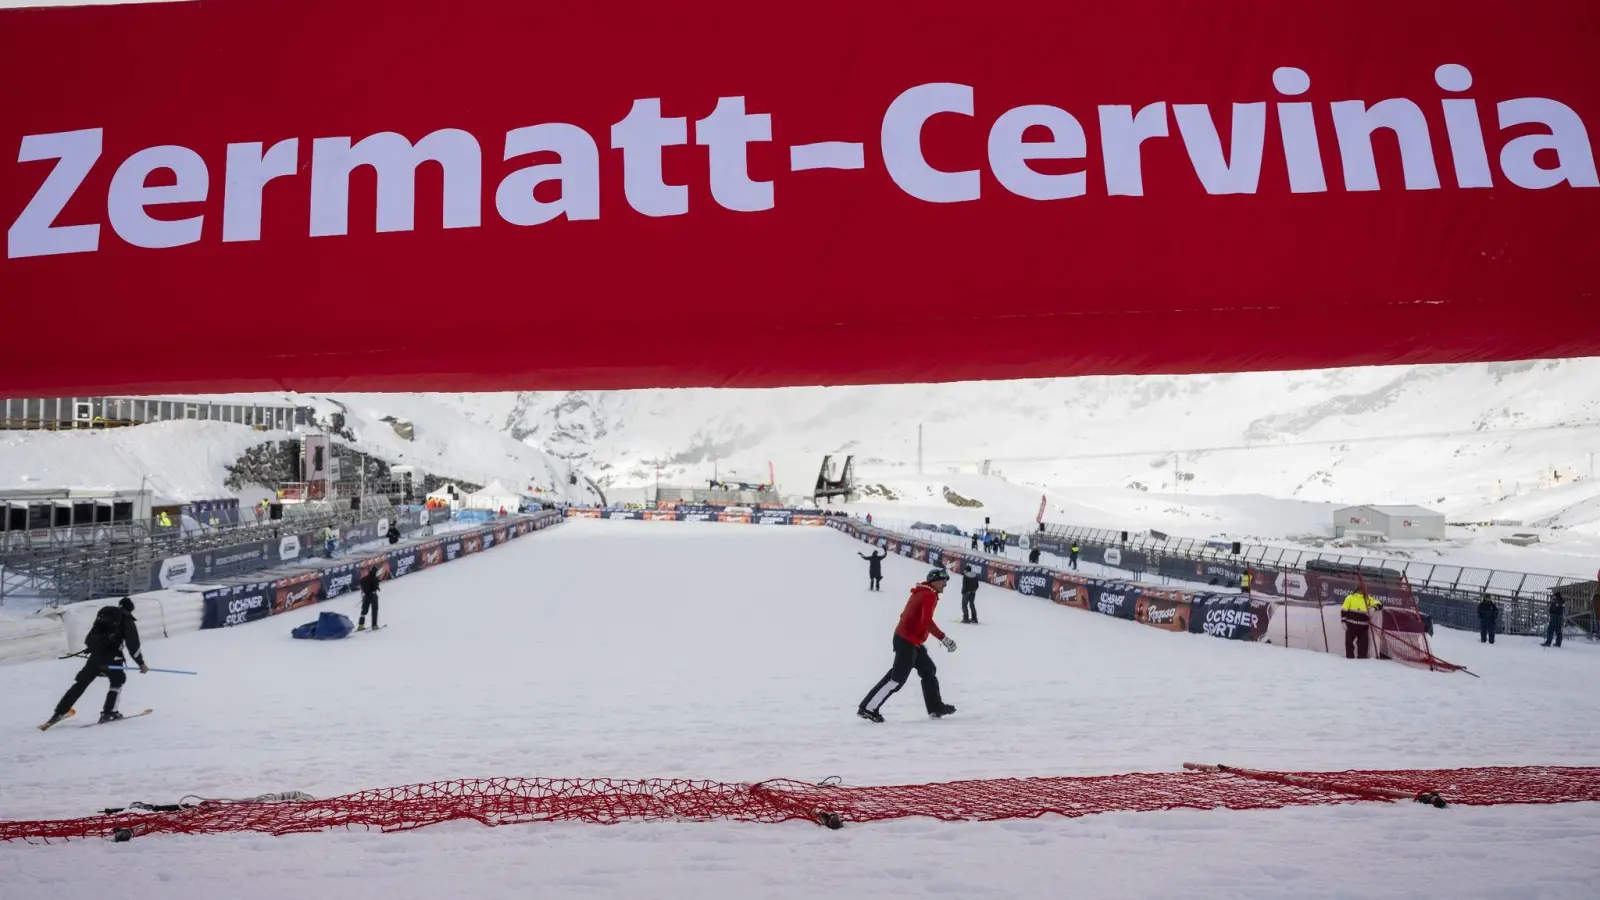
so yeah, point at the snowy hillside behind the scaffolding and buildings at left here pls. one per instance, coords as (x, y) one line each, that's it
(186, 460)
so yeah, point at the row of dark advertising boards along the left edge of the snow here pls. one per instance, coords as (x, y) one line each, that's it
(238, 605)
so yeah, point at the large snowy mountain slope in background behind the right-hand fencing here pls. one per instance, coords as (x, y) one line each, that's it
(1470, 440)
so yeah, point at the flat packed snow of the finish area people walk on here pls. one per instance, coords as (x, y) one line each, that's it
(737, 654)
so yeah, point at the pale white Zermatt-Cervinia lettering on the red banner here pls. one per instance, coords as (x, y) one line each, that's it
(1558, 153)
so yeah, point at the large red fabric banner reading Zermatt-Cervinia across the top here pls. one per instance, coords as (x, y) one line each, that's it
(249, 196)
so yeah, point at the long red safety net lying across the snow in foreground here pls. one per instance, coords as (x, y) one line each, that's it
(609, 802)
